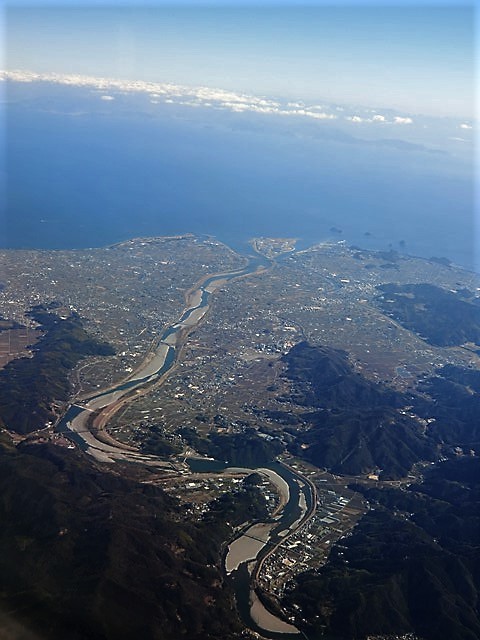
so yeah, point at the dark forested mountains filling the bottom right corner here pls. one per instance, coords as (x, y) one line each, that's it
(412, 565)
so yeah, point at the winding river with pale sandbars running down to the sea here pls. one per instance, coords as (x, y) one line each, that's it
(248, 550)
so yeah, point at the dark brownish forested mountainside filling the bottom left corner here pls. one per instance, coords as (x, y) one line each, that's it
(89, 555)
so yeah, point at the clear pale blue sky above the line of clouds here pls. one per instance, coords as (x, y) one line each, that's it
(415, 57)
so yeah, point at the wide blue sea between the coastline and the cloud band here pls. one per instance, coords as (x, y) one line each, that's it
(82, 173)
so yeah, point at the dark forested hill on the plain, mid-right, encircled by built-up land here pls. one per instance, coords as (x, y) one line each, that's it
(353, 425)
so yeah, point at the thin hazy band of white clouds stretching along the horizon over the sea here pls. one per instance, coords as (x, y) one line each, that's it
(349, 124)
